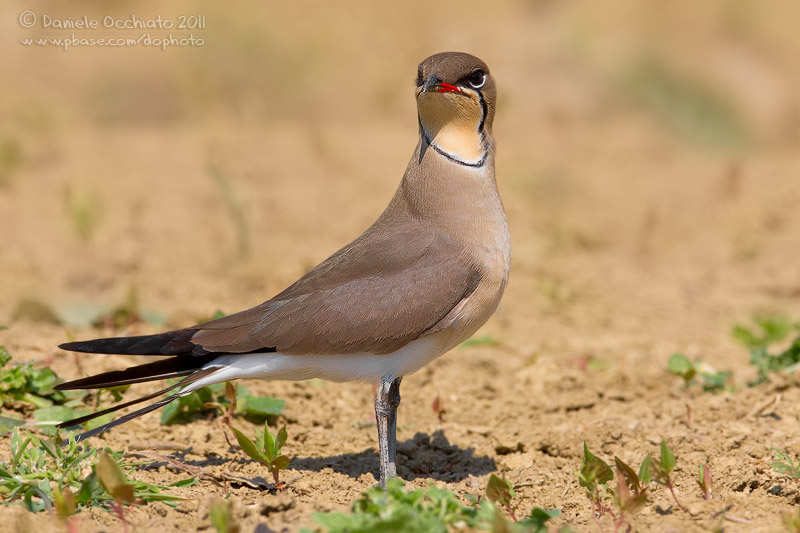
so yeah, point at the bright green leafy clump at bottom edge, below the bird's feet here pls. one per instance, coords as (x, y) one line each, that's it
(400, 510)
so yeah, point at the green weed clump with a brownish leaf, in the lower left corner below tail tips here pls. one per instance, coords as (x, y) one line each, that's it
(42, 472)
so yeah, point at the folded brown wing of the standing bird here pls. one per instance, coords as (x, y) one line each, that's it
(375, 295)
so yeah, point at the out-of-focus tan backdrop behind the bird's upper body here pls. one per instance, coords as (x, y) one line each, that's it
(648, 158)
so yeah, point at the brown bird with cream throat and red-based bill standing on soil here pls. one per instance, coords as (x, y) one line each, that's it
(419, 281)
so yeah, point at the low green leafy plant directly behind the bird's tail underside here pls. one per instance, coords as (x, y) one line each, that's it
(215, 400)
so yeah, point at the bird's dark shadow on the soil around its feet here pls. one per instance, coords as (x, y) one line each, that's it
(423, 456)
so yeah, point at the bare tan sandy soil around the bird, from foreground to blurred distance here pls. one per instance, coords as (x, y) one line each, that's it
(633, 239)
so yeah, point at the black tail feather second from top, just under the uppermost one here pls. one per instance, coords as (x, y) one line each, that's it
(173, 367)
